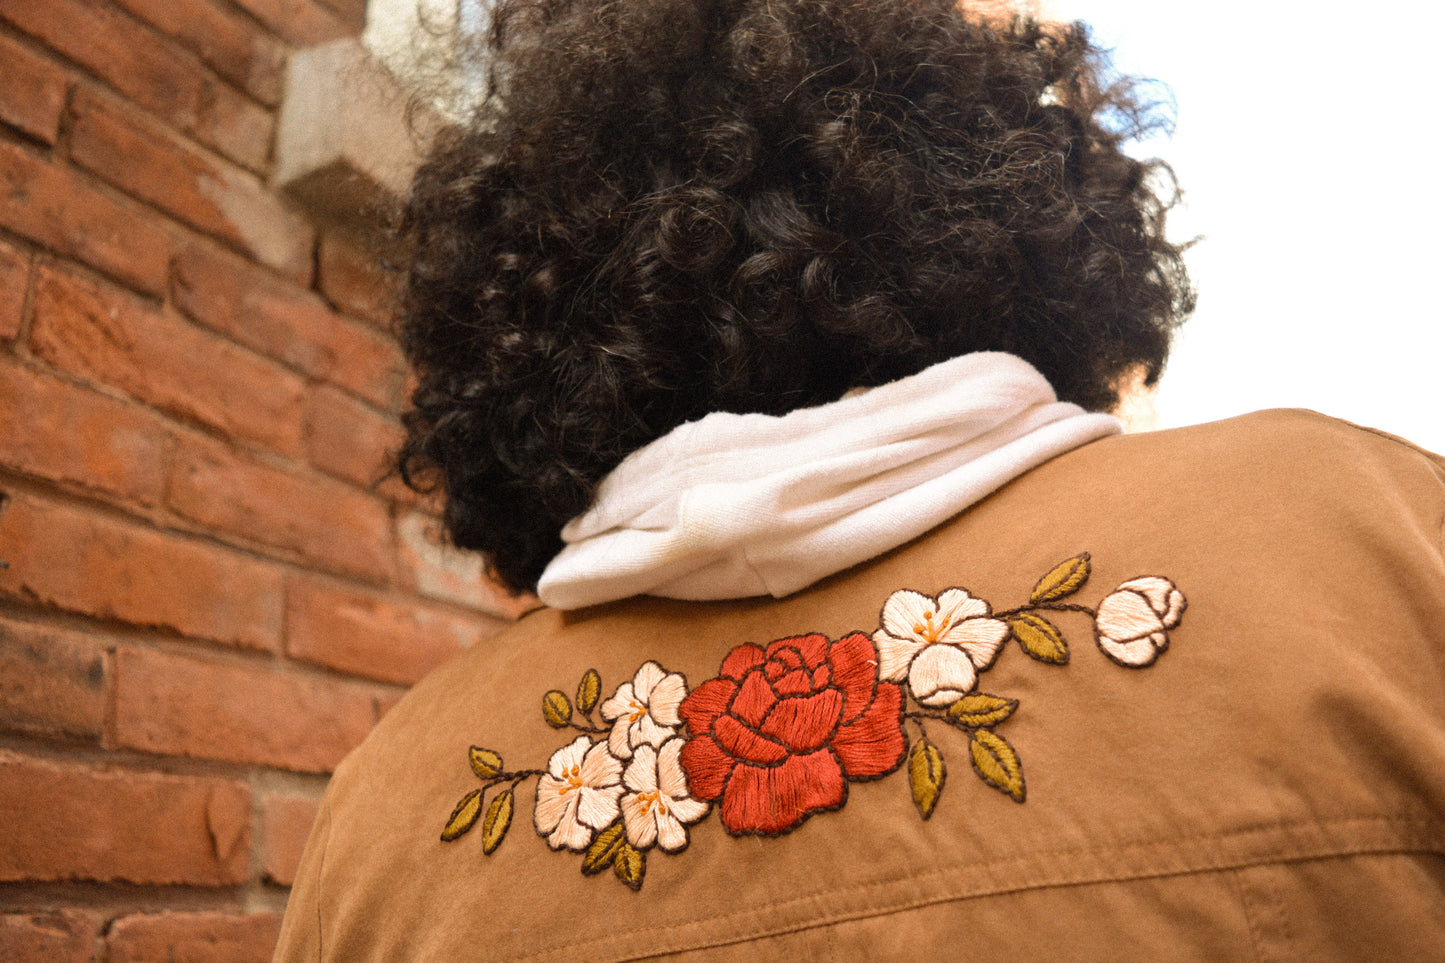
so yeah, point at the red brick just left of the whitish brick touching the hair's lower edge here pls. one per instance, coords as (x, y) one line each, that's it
(313, 515)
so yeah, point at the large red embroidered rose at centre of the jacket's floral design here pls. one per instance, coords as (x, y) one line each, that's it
(782, 729)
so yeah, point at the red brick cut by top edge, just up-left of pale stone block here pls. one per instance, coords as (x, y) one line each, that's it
(225, 41)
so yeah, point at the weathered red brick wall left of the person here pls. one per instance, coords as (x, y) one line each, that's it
(207, 598)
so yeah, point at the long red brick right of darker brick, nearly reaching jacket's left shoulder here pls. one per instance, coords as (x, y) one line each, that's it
(267, 715)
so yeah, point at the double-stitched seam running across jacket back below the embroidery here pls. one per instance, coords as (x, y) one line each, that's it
(998, 871)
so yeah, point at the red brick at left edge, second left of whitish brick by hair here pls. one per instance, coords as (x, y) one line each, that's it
(70, 435)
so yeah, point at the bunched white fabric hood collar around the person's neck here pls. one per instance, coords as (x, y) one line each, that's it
(733, 507)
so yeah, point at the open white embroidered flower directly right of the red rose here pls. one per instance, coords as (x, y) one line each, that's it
(939, 644)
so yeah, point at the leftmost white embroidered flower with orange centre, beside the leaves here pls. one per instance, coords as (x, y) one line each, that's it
(579, 795)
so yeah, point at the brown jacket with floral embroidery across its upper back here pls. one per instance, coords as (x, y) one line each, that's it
(1271, 787)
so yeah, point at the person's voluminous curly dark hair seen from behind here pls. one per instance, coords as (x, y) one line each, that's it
(664, 209)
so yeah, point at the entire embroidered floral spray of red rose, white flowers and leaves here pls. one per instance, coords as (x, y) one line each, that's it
(781, 732)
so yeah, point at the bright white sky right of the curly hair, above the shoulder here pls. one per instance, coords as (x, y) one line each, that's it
(1310, 147)
